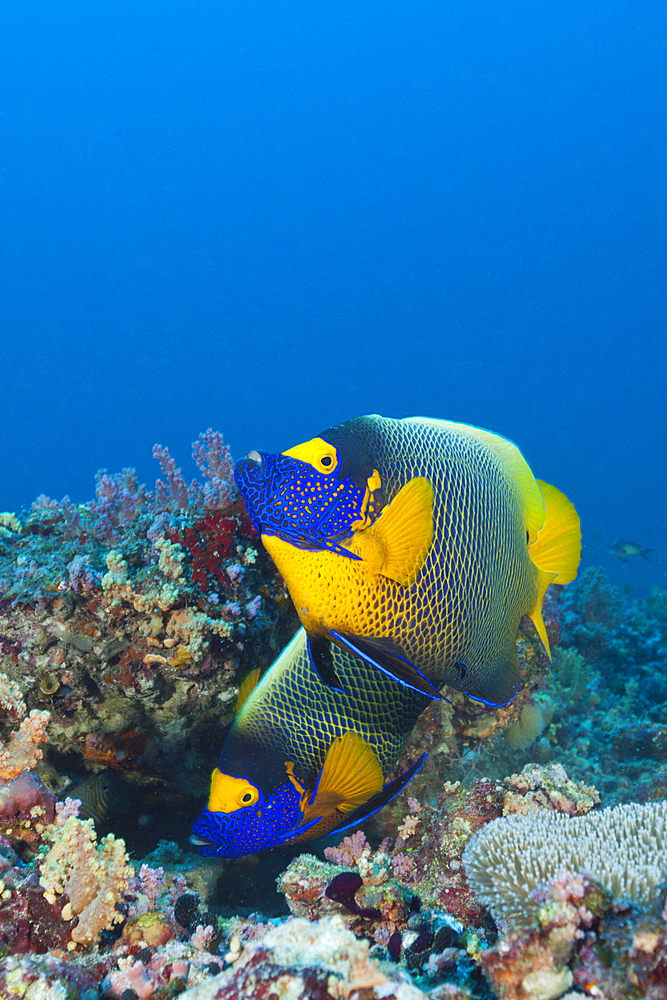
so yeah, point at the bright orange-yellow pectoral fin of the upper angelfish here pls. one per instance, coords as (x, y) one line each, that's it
(397, 544)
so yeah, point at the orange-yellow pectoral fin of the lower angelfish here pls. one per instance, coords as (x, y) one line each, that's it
(350, 776)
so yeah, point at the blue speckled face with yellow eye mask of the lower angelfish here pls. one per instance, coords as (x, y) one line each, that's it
(270, 821)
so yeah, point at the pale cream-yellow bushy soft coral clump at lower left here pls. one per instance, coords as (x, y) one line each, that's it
(93, 877)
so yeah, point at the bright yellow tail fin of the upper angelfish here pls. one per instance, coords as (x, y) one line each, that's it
(556, 550)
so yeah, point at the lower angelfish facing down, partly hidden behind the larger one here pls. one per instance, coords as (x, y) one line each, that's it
(303, 759)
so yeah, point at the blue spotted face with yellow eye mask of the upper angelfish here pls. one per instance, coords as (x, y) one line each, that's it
(312, 495)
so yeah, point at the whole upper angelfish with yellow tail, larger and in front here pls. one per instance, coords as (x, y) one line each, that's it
(415, 544)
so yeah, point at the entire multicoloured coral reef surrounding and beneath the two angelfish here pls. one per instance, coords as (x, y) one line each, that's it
(126, 626)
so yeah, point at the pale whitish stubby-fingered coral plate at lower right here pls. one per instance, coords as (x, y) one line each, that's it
(623, 849)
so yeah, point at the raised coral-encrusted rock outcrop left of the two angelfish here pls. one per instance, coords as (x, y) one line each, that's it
(127, 620)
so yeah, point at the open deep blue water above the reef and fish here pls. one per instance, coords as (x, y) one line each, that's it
(269, 217)
